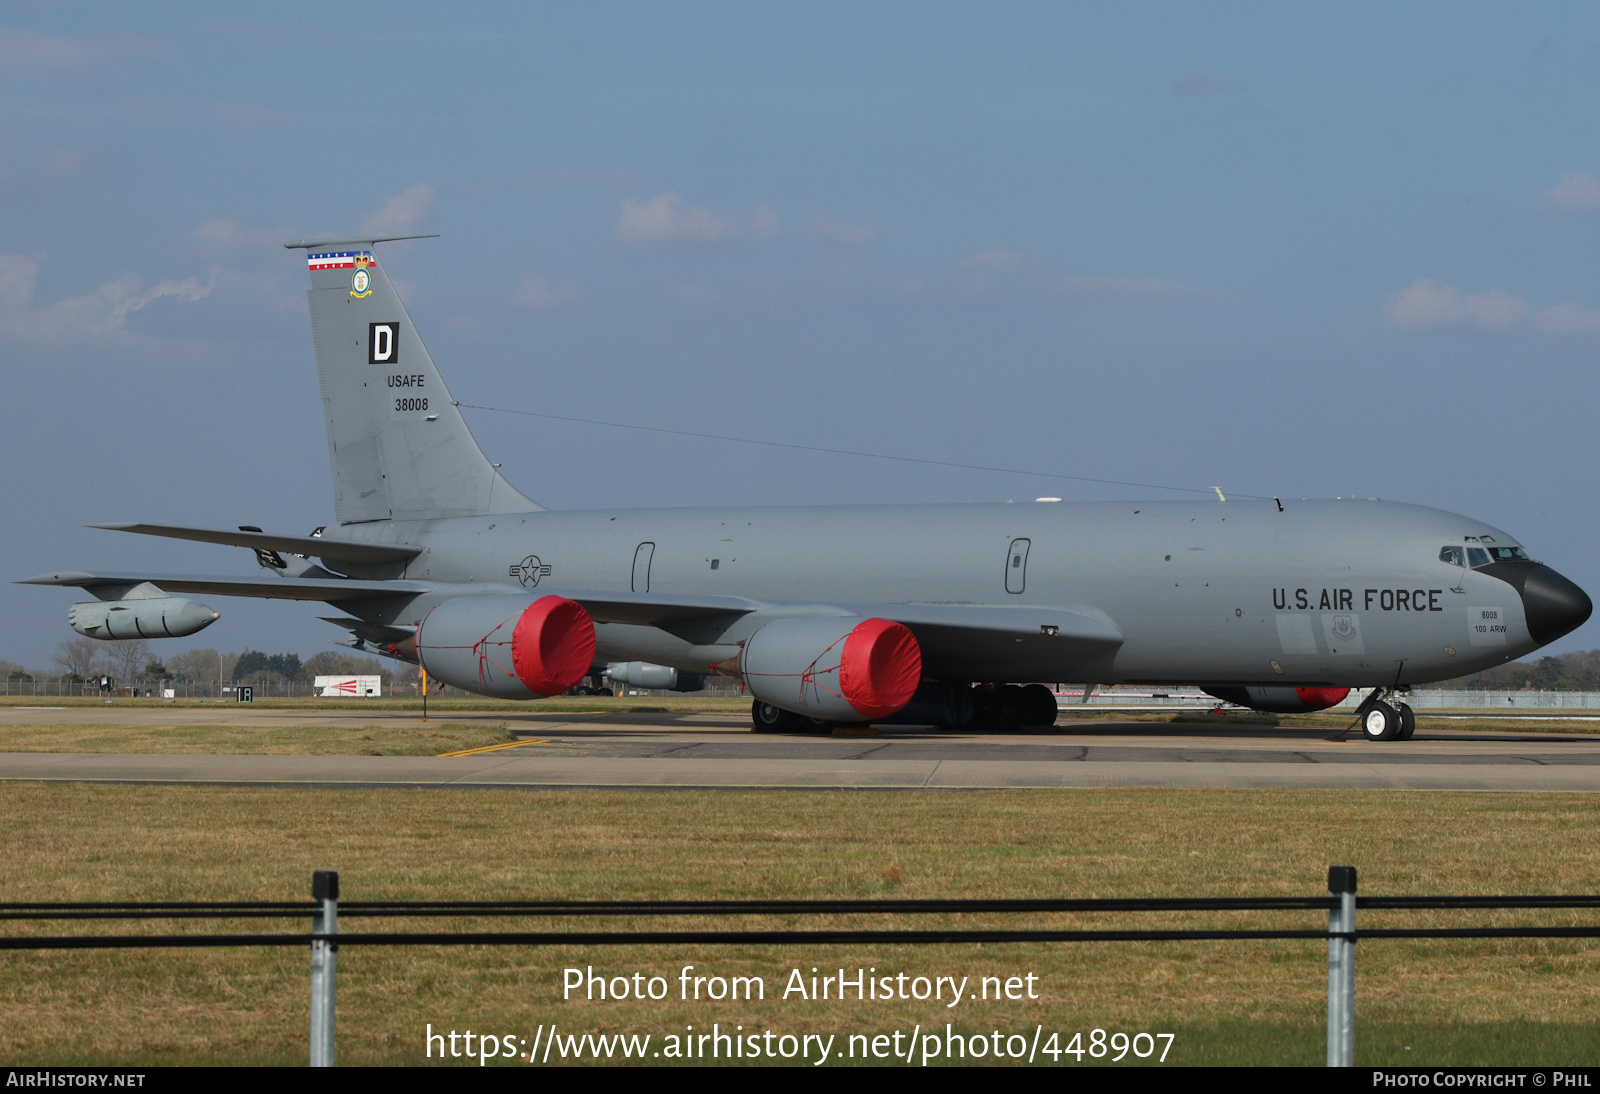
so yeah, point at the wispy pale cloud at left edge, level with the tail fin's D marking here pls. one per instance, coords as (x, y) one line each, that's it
(98, 316)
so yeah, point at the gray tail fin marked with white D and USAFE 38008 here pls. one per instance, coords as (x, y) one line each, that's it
(398, 442)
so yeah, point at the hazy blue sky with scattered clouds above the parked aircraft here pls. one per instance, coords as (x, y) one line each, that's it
(1289, 250)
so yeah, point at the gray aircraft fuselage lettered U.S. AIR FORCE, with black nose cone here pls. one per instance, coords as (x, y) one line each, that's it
(1321, 594)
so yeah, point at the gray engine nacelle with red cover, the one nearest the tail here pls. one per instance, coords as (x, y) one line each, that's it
(508, 647)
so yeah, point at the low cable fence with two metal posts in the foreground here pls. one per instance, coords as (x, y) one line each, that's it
(326, 938)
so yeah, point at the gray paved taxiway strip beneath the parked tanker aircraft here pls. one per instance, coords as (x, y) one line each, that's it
(719, 753)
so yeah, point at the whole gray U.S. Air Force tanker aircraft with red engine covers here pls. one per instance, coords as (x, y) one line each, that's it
(916, 615)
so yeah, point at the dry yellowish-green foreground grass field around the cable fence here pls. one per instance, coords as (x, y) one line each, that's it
(1519, 1002)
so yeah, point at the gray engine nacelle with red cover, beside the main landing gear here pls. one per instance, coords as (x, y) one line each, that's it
(836, 668)
